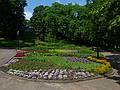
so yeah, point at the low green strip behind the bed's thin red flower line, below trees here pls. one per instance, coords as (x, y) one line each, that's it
(59, 45)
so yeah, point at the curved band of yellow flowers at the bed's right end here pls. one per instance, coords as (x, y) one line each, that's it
(104, 68)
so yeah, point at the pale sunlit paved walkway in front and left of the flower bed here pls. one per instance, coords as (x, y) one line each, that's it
(10, 83)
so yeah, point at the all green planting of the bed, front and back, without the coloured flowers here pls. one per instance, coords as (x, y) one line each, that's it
(53, 57)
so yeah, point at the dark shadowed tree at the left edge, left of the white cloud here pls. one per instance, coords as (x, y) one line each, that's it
(11, 18)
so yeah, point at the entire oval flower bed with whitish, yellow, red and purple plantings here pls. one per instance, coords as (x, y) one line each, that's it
(57, 64)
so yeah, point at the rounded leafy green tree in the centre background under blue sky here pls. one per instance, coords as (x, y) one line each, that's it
(56, 22)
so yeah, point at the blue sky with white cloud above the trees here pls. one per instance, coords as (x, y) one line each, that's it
(31, 4)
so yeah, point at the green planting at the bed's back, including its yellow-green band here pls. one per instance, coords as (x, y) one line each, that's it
(60, 47)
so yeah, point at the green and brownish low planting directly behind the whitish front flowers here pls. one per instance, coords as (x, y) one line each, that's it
(51, 62)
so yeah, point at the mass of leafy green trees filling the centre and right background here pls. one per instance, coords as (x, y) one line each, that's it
(99, 20)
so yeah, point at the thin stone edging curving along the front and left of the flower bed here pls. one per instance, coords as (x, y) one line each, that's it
(47, 80)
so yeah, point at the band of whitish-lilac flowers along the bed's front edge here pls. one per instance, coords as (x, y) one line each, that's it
(53, 74)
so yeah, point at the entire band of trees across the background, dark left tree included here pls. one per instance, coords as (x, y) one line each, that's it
(96, 23)
